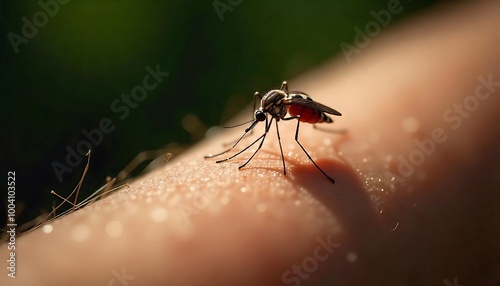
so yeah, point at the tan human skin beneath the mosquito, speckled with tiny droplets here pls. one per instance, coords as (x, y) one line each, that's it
(195, 222)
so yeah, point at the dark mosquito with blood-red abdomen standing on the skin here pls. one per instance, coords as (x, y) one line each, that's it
(277, 104)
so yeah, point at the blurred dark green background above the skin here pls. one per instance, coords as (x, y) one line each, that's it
(65, 77)
